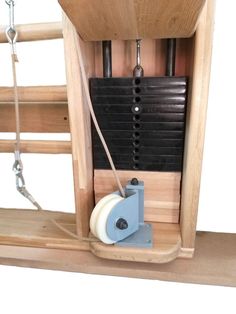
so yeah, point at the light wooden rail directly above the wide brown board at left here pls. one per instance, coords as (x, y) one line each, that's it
(35, 93)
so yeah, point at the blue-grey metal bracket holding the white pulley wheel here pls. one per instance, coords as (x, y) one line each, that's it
(131, 209)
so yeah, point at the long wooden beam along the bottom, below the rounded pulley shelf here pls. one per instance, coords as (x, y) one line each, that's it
(214, 262)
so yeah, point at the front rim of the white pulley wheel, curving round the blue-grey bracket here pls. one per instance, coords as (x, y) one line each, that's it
(101, 221)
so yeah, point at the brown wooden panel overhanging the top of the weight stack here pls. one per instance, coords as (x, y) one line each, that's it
(133, 19)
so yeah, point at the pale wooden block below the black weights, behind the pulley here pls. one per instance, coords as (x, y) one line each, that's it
(162, 191)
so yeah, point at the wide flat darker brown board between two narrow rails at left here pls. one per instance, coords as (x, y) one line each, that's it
(46, 117)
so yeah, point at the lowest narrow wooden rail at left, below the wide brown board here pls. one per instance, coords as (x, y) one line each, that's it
(37, 147)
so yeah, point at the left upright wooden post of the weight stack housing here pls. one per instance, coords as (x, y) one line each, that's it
(80, 127)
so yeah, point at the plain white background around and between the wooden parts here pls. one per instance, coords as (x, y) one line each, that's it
(36, 291)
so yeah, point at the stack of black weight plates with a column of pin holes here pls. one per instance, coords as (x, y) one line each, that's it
(142, 120)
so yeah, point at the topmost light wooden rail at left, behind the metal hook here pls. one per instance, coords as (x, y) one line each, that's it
(36, 31)
